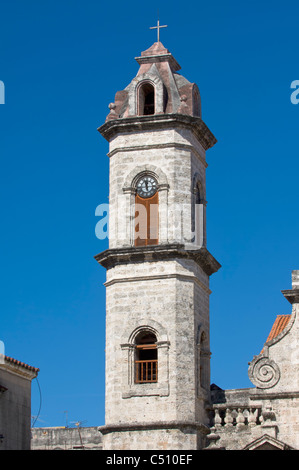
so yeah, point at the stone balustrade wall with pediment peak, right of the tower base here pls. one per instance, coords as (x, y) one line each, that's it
(241, 417)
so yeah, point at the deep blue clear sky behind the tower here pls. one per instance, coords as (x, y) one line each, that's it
(61, 63)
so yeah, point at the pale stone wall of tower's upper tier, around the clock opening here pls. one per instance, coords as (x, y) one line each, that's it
(174, 157)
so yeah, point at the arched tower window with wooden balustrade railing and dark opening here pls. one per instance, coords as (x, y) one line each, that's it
(146, 358)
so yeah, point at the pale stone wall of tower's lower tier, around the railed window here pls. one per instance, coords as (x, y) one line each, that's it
(158, 296)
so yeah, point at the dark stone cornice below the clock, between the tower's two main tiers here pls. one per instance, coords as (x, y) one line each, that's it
(112, 257)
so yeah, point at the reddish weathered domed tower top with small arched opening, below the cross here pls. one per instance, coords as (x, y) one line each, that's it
(158, 88)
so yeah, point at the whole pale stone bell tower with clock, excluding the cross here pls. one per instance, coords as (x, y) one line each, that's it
(158, 265)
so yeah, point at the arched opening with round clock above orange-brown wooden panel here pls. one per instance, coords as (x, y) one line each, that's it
(146, 211)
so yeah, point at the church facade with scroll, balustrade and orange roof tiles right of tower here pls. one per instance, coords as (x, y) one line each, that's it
(266, 416)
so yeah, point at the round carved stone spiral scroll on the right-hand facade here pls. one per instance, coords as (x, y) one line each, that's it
(263, 372)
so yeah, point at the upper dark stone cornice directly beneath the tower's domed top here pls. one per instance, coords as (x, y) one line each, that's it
(159, 121)
